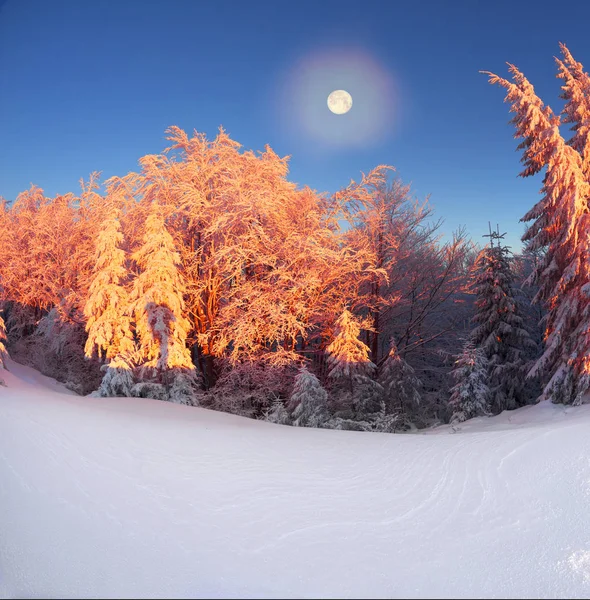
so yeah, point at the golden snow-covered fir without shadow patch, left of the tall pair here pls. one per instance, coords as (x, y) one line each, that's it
(107, 311)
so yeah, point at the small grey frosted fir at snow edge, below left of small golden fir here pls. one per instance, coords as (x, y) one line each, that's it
(308, 402)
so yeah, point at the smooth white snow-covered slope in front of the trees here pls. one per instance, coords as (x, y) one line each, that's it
(138, 498)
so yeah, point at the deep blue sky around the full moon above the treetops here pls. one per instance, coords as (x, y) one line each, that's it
(92, 85)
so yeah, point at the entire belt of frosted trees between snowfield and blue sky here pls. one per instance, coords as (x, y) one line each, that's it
(207, 278)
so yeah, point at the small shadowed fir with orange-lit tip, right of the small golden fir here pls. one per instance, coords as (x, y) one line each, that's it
(400, 384)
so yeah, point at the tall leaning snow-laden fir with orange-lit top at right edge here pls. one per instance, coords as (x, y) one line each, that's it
(560, 225)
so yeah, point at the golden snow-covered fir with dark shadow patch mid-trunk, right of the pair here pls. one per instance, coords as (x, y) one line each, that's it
(157, 301)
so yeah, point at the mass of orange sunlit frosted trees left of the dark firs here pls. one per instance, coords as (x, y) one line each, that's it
(208, 258)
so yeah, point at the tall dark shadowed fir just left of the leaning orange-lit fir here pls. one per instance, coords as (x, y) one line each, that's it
(500, 330)
